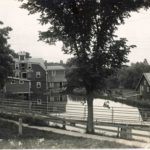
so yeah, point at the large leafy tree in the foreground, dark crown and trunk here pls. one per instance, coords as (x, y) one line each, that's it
(87, 30)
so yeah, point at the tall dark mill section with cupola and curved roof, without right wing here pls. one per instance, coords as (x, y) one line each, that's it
(32, 69)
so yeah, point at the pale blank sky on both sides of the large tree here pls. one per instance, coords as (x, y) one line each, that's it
(24, 36)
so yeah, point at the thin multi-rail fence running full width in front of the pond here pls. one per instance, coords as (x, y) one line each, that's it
(65, 110)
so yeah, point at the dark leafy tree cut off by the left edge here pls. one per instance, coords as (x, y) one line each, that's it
(5, 54)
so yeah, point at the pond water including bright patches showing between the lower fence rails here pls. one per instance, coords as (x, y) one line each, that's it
(104, 111)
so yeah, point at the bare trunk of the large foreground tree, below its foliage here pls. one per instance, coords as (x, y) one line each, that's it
(90, 124)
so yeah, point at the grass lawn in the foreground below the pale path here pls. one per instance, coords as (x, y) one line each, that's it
(33, 138)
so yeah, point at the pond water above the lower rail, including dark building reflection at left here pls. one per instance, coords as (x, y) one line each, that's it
(75, 107)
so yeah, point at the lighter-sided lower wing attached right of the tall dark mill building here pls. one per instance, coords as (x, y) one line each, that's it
(56, 81)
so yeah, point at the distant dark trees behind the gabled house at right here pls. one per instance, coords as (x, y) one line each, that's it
(128, 76)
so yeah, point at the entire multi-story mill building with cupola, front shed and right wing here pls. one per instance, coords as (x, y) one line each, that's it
(35, 80)
